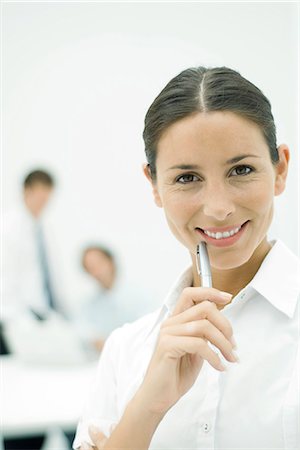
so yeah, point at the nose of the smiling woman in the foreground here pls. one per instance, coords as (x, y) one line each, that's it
(217, 202)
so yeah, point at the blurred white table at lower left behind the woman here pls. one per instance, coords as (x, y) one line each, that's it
(37, 398)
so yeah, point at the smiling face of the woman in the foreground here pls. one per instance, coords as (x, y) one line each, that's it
(216, 183)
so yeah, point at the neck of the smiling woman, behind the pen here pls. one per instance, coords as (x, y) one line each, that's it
(234, 280)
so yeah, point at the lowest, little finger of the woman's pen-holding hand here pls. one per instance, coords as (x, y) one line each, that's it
(179, 346)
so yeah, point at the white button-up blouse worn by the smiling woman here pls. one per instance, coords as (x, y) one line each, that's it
(252, 405)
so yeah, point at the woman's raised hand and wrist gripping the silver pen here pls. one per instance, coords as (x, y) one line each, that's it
(182, 347)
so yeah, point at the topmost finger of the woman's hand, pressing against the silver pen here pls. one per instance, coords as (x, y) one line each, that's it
(193, 295)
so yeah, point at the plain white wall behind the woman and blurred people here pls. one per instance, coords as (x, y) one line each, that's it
(77, 81)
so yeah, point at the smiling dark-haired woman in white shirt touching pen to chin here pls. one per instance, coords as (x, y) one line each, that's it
(172, 379)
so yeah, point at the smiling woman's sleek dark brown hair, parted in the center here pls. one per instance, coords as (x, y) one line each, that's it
(202, 89)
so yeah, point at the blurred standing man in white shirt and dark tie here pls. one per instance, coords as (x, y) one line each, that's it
(27, 279)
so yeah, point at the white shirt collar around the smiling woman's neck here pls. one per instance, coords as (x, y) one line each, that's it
(277, 280)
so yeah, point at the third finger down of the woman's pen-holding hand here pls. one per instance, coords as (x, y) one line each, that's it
(207, 331)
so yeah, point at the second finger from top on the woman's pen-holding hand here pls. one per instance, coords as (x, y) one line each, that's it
(205, 310)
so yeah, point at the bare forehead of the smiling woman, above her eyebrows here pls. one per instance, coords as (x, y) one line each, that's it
(213, 135)
